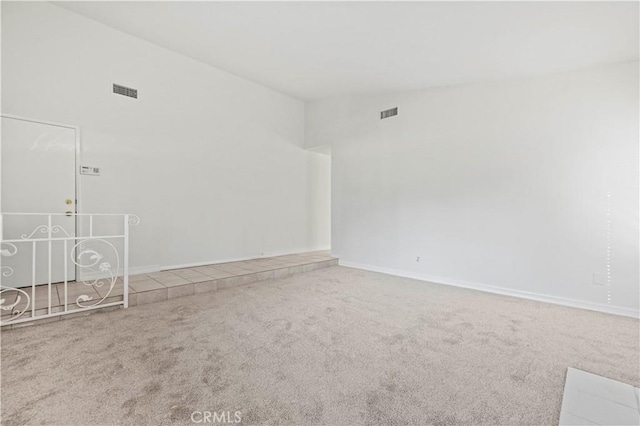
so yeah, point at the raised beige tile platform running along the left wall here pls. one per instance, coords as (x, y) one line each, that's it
(159, 286)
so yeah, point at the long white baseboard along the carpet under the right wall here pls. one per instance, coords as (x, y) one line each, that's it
(581, 304)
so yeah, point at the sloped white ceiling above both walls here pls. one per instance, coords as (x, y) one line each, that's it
(314, 50)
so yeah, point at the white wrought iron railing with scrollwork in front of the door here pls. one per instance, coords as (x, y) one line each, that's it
(55, 264)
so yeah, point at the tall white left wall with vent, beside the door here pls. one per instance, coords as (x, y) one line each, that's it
(213, 164)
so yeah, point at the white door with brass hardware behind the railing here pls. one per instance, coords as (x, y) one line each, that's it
(38, 176)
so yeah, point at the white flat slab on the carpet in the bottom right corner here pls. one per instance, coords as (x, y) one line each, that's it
(590, 399)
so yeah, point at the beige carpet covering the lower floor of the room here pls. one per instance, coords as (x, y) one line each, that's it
(337, 346)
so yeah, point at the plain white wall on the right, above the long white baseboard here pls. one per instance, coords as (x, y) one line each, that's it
(501, 186)
